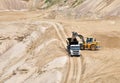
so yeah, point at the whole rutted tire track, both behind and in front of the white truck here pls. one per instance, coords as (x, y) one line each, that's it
(74, 63)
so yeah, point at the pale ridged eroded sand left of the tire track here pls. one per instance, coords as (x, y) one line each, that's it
(27, 57)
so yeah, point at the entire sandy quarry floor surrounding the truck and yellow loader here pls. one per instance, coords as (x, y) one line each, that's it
(32, 49)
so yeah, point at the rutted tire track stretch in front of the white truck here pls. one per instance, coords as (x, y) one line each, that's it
(74, 73)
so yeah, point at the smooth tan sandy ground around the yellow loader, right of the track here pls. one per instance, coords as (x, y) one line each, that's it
(103, 65)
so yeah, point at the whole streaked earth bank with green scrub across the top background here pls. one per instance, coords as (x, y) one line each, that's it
(68, 8)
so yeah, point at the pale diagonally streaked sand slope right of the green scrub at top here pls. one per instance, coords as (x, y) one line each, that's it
(99, 7)
